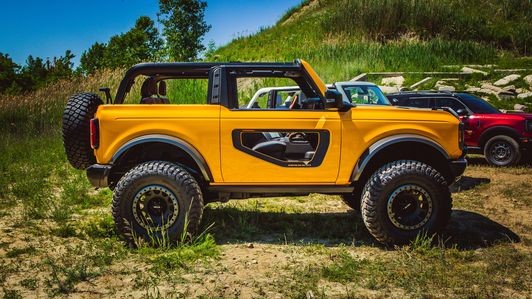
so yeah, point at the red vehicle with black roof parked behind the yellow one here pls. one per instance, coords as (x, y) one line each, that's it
(503, 138)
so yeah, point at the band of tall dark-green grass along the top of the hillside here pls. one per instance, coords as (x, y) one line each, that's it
(502, 24)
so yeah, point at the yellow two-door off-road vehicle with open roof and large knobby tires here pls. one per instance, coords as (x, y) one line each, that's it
(164, 161)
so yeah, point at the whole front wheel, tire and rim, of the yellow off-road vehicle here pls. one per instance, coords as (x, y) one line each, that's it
(403, 199)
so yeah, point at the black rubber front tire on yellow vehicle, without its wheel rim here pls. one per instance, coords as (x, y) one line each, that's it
(380, 188)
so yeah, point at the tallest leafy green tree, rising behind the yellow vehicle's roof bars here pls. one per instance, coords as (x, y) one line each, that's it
(184, 27)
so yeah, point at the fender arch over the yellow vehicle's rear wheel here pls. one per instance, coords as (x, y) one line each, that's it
(159, 147)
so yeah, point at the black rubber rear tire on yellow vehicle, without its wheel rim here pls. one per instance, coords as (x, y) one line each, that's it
(170, 176)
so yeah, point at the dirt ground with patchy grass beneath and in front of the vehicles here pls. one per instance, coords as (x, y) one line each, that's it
(287, 247)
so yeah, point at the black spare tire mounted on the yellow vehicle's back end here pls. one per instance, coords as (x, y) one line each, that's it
(78, 112)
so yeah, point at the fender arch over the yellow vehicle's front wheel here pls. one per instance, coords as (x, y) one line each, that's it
(401, 147)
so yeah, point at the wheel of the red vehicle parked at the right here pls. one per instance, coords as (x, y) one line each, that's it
(509, 150)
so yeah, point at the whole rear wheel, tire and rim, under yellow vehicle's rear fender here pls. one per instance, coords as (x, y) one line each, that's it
(157, 202)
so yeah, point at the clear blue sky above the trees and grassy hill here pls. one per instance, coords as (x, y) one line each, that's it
(46, 28)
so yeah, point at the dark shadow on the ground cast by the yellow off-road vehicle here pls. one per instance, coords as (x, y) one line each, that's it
(466, 230)
